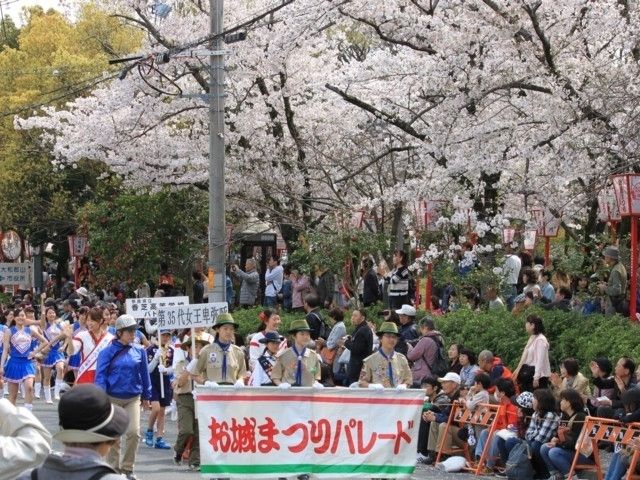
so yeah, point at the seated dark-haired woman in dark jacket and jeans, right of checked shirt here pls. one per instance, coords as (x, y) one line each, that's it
(558, 453)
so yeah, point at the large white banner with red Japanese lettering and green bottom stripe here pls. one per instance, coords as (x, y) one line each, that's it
(266, 432)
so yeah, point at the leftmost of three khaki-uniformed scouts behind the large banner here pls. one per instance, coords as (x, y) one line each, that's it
(222, 362)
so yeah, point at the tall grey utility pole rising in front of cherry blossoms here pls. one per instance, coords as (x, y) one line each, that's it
(217, 224)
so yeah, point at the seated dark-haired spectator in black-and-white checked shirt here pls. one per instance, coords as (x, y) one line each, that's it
(542, 428)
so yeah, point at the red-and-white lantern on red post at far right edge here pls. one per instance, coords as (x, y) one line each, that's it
(626, 188)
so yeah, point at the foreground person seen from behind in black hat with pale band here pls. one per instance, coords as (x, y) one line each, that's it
(89, 426)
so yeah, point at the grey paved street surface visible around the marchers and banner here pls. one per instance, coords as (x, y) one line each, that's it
(154, 464)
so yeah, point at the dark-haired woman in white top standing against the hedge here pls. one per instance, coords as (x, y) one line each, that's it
(534, 368)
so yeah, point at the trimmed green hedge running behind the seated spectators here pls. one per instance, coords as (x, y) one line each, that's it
(570, 334)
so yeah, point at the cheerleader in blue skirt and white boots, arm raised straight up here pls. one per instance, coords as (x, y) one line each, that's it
(52, 329)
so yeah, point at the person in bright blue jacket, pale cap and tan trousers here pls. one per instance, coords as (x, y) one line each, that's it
(123, 373)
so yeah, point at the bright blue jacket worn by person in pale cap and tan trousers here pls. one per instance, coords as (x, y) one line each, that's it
(122, 371)
